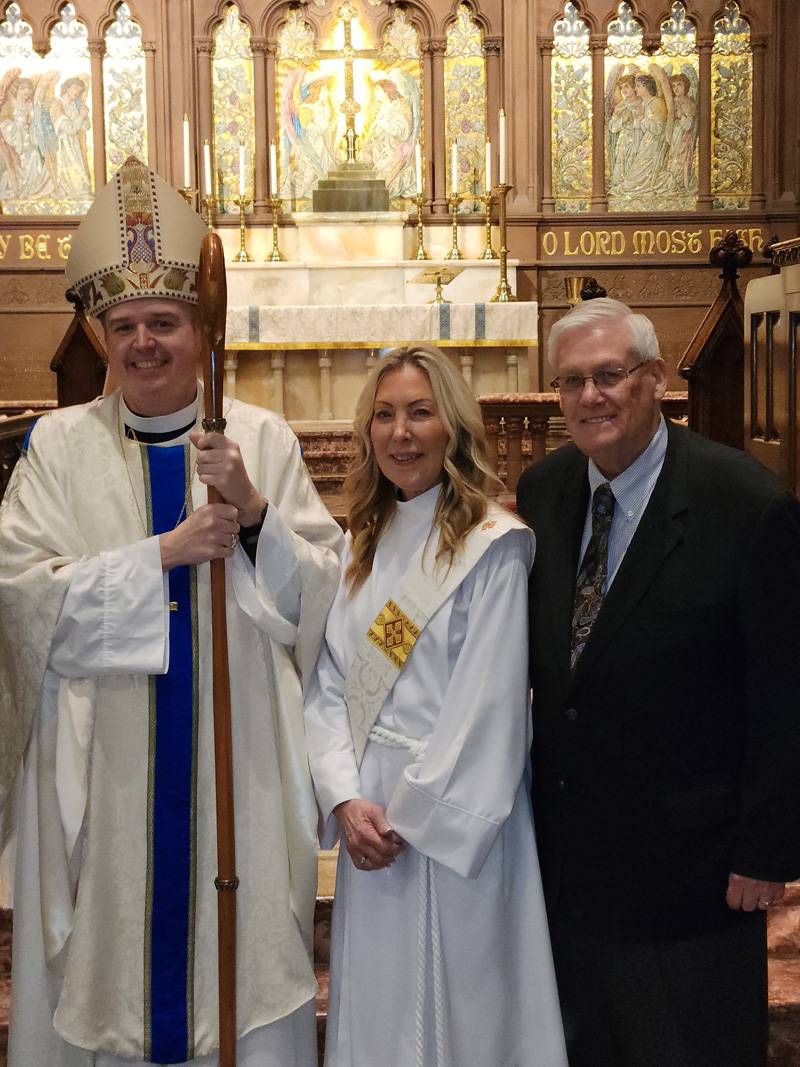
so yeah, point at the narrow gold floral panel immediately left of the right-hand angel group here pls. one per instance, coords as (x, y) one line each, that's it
(571, 129)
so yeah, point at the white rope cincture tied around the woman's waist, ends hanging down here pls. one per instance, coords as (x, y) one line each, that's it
(427, 909)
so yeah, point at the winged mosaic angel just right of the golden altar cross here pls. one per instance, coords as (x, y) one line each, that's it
(393, 132)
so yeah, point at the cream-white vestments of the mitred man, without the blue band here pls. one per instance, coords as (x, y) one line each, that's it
(85, 636)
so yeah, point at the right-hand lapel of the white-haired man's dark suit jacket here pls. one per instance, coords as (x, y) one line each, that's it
(660, 530)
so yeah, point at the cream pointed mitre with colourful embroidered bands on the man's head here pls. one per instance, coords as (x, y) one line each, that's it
(140, 238)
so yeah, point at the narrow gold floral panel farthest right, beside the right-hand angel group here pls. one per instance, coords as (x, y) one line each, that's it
(732, 112)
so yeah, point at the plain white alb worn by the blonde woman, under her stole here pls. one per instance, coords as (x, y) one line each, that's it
(442, 960)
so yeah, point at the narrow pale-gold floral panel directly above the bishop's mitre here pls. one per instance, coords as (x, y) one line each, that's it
(125, 103)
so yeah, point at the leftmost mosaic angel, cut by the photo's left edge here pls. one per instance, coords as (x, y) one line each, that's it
(27, 140)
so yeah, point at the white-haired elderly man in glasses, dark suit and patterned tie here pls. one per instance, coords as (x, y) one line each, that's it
(665, 665)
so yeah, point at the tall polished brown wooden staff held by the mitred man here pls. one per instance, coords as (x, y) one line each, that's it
(213, 299)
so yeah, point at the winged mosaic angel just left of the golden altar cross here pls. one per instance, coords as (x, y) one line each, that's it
(309, 126)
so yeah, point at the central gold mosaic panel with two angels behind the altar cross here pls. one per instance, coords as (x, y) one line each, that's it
(317, 87)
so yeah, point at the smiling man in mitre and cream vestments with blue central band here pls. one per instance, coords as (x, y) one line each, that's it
(106, 691)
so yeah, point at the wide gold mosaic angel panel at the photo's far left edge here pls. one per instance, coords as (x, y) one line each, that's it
(46, 161)
